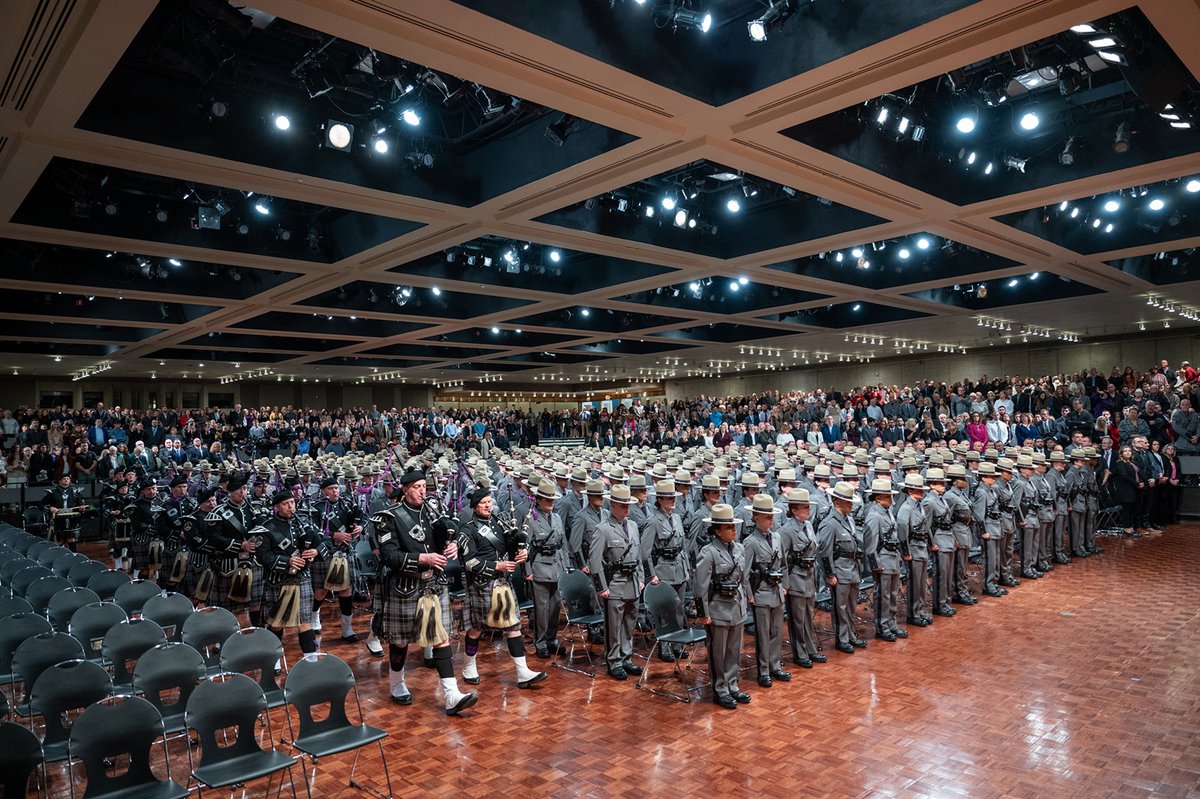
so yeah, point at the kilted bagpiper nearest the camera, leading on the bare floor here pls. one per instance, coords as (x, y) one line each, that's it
(416, 544)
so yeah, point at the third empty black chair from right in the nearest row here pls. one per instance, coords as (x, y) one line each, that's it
(122, 729)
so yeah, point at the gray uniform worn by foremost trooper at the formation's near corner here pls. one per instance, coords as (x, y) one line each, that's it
(722, 585)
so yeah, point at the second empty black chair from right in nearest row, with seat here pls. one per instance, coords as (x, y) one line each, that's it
(221, 704)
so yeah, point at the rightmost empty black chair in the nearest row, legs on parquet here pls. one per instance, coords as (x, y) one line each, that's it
(321, 680)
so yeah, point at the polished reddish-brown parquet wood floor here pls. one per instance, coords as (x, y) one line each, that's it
(1082, 684)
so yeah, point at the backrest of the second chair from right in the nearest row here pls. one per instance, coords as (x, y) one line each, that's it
(223, 702)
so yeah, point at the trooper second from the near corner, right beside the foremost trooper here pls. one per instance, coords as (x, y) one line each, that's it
(765, 563)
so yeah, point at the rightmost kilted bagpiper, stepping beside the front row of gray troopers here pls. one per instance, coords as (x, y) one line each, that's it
(491, 556)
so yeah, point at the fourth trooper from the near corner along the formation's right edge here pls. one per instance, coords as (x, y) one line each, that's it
(842, 554)
